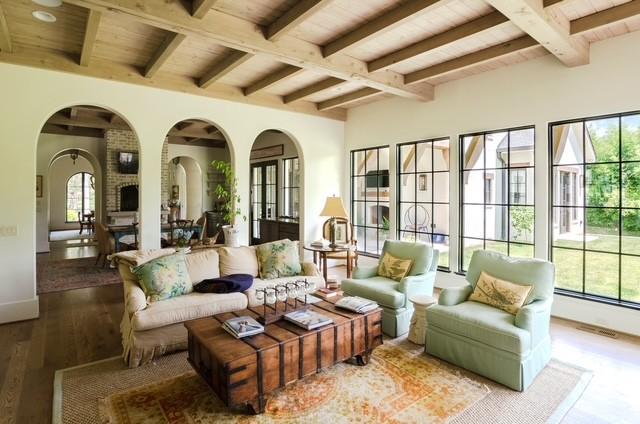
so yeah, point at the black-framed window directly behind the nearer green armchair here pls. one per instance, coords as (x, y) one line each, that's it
(497, 193)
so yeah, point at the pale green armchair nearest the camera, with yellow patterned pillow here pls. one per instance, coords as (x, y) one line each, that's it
(509, 349)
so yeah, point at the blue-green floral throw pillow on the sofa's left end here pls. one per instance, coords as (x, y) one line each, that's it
(164, 278)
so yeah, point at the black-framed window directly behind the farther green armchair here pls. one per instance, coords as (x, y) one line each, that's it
(423, 194)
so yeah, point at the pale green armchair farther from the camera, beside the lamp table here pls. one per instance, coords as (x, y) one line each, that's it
(391, 295)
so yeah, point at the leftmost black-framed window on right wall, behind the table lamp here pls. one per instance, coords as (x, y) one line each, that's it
(370, 198)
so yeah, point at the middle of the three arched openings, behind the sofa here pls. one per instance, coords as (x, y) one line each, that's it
(188, 192)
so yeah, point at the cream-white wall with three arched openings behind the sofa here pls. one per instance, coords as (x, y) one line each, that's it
(30, 96)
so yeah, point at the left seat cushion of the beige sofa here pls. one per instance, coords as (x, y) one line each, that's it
(185, 308)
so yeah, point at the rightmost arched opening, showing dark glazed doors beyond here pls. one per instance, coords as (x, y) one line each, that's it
(276, 187)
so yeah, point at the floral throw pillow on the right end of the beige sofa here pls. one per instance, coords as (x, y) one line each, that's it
(278, 259)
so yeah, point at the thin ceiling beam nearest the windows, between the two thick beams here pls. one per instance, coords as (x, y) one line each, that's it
(471, 59)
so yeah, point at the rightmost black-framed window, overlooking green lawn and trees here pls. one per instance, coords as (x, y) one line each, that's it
(595, 206)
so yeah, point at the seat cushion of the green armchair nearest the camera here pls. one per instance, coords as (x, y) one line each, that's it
(482, 323)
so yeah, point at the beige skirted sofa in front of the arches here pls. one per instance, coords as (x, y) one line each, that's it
(150, 330)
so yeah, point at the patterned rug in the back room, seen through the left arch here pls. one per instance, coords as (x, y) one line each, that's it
(68, 274)
